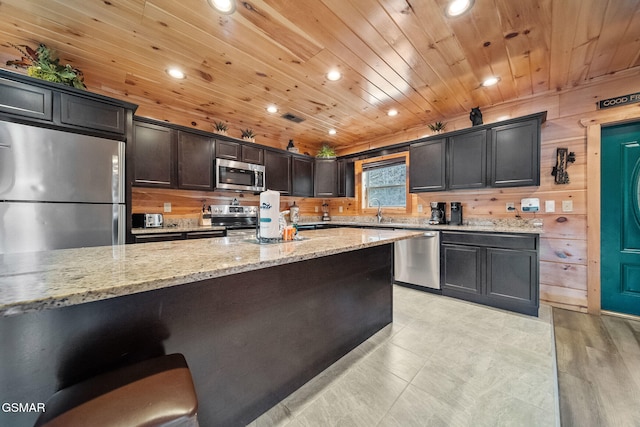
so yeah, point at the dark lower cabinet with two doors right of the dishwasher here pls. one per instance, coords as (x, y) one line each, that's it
(500, 270)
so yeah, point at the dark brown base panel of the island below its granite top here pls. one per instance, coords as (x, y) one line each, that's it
(250, 339)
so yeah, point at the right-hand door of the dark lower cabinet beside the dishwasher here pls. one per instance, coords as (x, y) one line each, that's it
(512, 277)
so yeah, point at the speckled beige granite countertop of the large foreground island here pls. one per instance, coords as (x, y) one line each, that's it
(44, 280)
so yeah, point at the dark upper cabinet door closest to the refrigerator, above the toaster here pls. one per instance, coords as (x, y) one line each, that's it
(154, 153)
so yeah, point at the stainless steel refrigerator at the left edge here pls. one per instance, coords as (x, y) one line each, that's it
(59, 190)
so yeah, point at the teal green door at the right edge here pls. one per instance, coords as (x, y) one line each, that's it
(620, 223)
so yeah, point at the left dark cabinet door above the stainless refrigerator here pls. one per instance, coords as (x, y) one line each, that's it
(25, 100)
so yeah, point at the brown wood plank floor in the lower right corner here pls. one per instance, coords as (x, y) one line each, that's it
(598, 369)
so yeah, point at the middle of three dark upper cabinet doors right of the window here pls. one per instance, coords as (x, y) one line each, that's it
(466, 166)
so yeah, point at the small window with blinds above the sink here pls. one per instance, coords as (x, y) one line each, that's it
(385, 181)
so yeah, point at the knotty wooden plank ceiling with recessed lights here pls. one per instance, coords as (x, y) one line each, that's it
(393, 54)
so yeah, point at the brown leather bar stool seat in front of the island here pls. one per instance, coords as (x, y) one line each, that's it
(155, 392)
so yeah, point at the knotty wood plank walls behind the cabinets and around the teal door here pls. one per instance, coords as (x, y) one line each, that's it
(563, 255)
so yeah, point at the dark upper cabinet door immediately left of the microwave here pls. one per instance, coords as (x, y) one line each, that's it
(195, 161)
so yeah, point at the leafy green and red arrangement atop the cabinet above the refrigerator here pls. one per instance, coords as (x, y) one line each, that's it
(42, 64)
